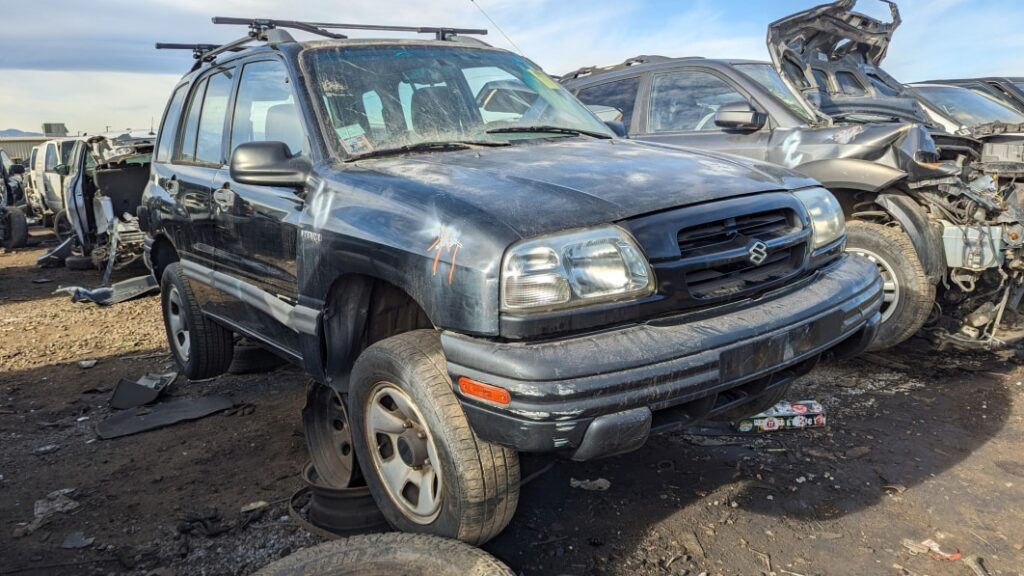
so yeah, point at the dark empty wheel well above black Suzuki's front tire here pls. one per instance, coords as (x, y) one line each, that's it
(360, 311)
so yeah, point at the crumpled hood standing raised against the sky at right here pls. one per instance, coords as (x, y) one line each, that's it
(830, 44)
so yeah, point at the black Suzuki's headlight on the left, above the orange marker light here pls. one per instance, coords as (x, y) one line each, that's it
(575, 269)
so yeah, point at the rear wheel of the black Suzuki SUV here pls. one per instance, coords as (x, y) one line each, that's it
(202, 348)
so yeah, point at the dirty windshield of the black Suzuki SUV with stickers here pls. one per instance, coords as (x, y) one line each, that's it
(408, 98)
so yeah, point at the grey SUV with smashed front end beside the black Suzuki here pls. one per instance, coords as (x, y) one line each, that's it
(911, 193)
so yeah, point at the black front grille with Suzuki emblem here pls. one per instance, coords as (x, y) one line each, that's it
(716, 257)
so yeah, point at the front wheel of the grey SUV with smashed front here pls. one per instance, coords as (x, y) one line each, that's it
(909, 297)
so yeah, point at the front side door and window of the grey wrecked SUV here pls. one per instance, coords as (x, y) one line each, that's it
(681, 110)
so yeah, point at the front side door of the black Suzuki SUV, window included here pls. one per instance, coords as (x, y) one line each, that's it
(258, 226)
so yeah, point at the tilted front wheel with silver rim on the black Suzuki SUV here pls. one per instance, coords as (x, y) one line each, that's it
(424, 465)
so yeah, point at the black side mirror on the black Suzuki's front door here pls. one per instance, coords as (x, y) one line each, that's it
(270, 163)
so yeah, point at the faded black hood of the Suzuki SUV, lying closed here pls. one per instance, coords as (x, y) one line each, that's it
(539, 188)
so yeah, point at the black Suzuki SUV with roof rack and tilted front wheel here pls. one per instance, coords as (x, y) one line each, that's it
(468, 263)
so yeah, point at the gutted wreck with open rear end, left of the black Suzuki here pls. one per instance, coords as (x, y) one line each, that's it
(106, 179)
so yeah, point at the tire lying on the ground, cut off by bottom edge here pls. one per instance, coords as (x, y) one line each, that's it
(394, 554)
